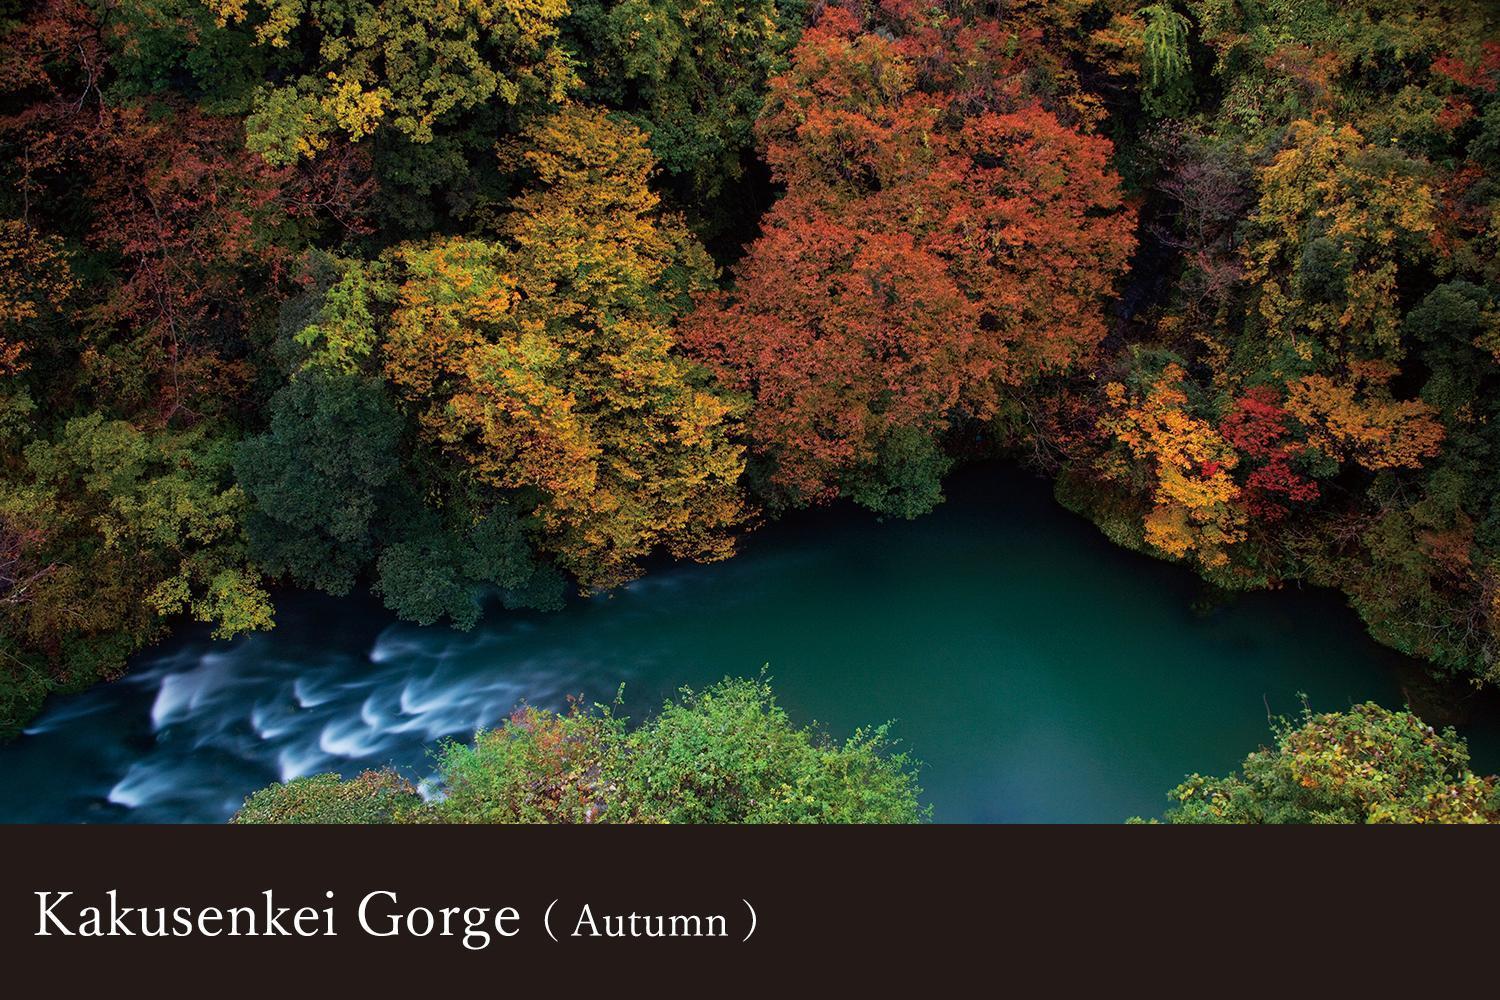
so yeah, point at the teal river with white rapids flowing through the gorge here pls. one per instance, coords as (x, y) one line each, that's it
(1039, 672)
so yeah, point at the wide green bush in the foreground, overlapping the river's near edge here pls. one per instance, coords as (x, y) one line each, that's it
(727, 755)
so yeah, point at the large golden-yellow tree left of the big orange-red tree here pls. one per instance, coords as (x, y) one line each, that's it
(547, 359)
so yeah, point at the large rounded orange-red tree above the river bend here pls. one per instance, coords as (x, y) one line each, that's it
(941, 239)
